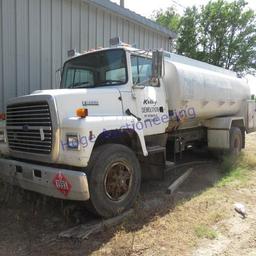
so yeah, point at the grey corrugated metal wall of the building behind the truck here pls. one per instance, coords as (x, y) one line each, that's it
(35, 36)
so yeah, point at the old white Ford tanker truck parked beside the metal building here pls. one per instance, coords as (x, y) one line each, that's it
(117, 113)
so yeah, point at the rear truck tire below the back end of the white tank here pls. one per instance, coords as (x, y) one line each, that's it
(236, 141)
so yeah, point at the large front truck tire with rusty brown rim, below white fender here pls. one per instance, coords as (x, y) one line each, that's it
(114, 180)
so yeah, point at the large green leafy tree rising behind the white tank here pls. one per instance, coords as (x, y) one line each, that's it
(220, 33)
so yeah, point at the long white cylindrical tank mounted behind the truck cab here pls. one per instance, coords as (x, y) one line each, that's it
(205, 90)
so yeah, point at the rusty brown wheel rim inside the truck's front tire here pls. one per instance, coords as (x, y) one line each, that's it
(118, 181)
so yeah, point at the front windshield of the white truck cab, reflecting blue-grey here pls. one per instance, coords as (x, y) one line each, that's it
(104, 68)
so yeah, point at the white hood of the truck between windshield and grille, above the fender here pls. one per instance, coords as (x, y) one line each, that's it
(99, 102)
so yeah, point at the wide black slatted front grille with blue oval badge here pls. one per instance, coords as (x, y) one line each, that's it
(29, 127)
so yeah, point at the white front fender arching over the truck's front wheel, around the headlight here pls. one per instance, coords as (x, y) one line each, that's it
(88, 129)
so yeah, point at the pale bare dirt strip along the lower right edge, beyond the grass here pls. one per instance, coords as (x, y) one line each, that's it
(237, 236)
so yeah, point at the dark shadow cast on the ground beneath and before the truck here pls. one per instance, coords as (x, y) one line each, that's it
(30, 223)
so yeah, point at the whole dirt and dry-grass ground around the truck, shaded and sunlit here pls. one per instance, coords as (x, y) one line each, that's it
(161, 225)
